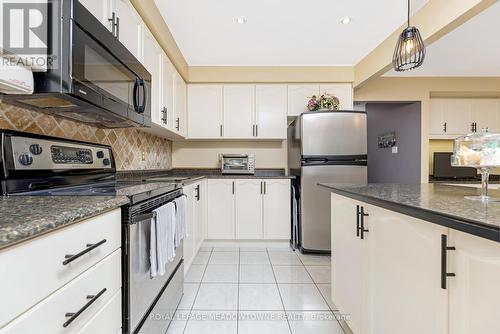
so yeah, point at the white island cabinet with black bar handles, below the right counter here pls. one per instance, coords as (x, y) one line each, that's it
(387, 274)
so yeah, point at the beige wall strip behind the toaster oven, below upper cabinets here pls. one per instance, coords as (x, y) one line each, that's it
(205, 154)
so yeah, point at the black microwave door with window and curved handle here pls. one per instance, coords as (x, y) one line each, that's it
(102, 79)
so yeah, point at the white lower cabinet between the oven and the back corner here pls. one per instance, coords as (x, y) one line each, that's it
(196, 216)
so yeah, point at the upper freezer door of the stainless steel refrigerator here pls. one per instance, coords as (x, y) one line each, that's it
(333, 133)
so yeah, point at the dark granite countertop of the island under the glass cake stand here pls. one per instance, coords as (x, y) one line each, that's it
(440, 204)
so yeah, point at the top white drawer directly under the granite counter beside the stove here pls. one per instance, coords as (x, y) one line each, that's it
(36, 269)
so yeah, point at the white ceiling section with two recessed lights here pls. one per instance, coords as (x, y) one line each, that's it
(279, 32)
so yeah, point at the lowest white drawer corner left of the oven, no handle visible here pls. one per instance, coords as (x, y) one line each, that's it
(108, 319)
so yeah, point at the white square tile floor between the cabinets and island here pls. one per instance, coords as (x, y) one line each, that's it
(256, 291)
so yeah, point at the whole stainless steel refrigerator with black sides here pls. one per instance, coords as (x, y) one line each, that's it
(324, 147)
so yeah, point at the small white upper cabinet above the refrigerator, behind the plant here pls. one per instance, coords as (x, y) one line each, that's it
(299, 95)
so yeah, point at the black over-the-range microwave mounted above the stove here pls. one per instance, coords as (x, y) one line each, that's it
(93, 78)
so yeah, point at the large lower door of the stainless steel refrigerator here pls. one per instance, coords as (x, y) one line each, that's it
(315, 203)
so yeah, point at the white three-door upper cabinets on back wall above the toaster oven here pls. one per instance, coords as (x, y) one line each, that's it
(237, 111)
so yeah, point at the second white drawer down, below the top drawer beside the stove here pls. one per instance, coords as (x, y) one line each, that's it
(50, 316)
